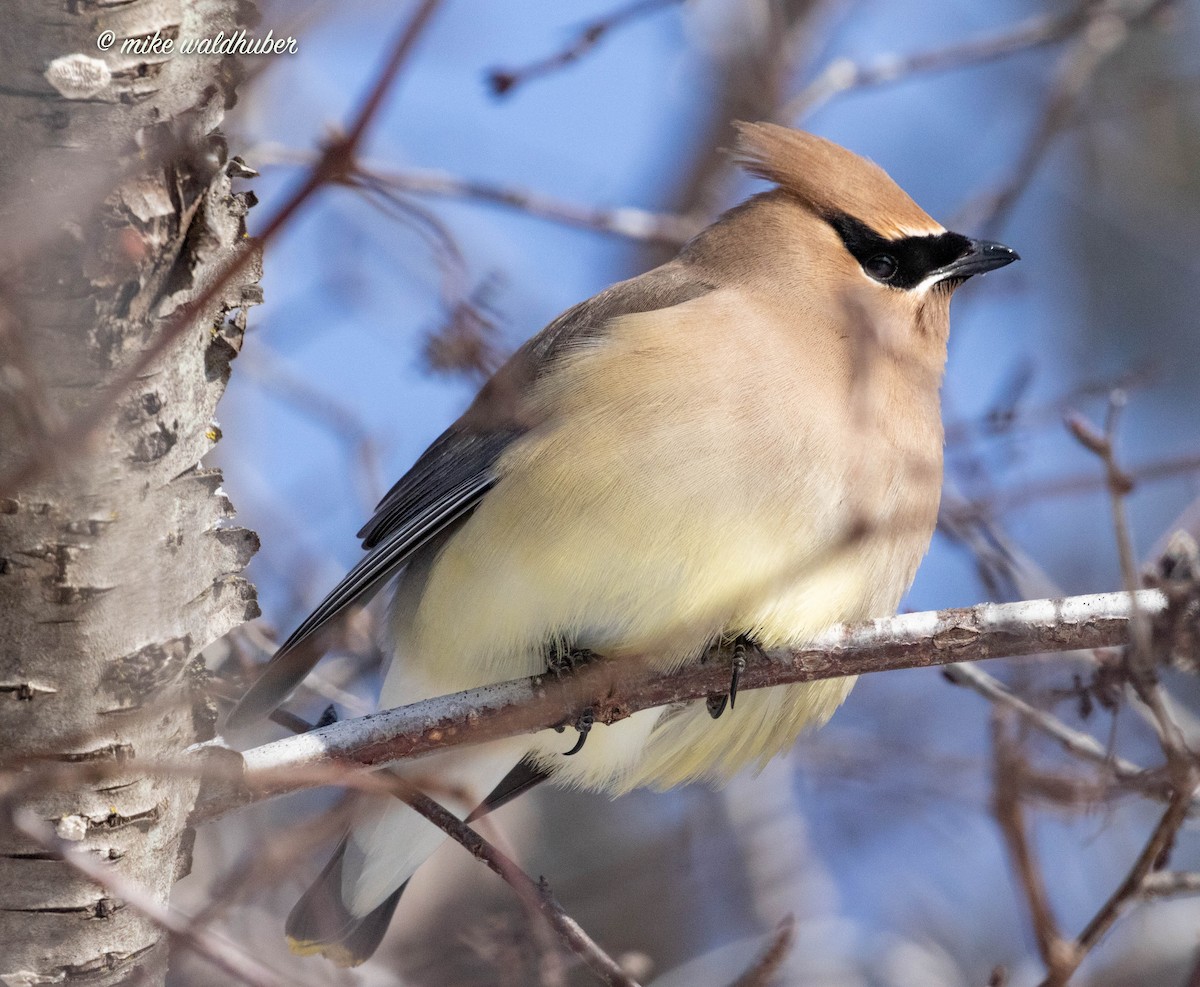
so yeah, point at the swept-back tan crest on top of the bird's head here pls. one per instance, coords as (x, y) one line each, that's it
(831, 180)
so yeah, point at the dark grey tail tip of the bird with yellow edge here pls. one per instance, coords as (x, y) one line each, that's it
(322, 925)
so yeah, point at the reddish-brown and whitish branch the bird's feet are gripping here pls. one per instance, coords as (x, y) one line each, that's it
(615, 691)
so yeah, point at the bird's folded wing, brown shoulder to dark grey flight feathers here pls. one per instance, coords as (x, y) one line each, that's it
(458, 470)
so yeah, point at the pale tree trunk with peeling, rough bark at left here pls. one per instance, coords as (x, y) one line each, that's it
(117, 561)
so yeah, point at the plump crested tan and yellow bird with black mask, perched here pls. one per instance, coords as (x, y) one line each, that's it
(742, 445)
